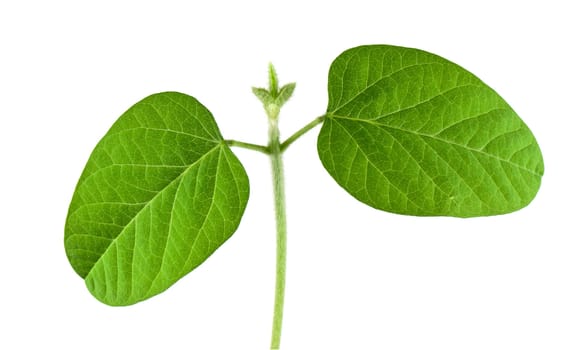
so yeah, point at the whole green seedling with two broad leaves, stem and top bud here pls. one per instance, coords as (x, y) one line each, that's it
(405, 131)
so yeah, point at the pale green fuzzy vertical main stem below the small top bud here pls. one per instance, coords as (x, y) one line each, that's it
(280, 211)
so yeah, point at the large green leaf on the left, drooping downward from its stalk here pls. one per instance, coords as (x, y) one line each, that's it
(159, 194)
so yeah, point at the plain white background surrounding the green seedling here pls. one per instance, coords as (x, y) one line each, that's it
(357, 278)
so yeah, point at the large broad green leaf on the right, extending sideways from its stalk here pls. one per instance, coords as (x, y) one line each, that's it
(409, 132)
